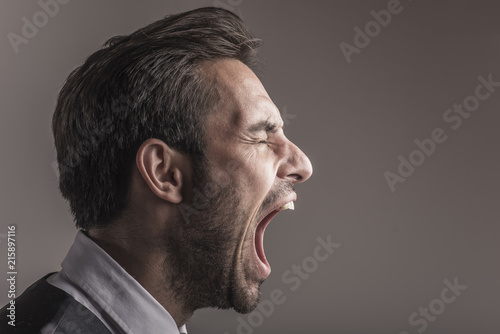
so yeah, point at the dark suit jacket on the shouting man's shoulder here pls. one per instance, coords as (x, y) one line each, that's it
(43, 303)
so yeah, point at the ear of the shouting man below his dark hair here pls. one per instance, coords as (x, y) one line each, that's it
(164, 169)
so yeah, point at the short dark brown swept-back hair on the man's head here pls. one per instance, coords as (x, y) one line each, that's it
(148, 84)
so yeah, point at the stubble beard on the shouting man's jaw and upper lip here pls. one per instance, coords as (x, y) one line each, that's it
(202, 265)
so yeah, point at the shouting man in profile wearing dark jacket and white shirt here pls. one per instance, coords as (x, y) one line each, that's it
(173, 160)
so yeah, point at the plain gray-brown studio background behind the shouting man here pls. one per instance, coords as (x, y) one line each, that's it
(353, 120)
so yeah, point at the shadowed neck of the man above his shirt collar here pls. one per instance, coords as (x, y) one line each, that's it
(144, 259)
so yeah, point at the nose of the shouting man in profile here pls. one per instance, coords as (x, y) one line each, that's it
(296, 166)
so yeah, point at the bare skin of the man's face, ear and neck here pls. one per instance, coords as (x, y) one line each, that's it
(207, 258)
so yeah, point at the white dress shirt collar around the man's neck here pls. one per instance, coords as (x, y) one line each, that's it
(99, 283)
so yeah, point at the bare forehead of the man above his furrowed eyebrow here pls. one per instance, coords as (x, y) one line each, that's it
(243, 98)
